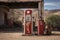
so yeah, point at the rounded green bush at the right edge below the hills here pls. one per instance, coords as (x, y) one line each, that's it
(53, 20)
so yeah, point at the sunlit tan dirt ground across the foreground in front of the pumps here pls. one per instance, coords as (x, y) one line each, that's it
(18, 36)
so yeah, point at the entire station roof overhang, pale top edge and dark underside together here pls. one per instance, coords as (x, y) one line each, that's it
(20, 3)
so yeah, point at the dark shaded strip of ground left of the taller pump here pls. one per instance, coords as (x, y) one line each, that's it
(11, 29)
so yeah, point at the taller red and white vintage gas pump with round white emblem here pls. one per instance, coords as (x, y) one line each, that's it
(28, 22)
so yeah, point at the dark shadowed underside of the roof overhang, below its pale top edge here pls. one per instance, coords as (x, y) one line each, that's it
(20, 4)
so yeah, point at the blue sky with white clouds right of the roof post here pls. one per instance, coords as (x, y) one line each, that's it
(51, 4)
